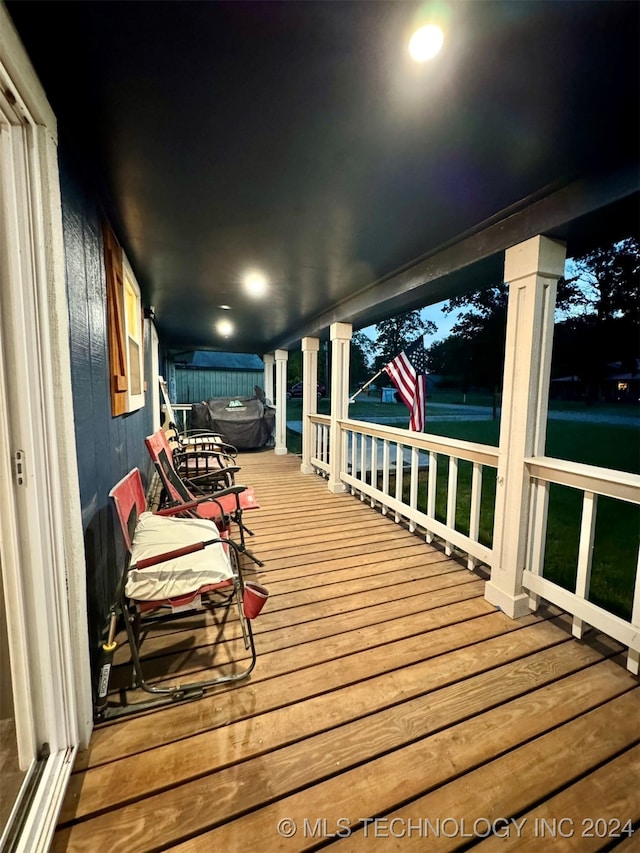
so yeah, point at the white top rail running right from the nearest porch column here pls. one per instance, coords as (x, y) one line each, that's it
(602, 481)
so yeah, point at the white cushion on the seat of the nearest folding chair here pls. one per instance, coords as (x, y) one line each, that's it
(157, 534)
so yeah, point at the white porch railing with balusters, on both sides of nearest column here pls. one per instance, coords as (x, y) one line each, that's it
(375, 454)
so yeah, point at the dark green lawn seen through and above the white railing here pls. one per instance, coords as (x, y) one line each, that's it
(618, 523)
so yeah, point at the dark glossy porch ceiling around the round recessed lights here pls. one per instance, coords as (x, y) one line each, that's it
(300, 140)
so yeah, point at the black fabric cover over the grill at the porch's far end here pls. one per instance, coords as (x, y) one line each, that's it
(245, 422)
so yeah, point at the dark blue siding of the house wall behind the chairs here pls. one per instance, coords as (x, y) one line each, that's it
(106, 447)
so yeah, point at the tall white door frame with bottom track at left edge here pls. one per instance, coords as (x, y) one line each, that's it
(42, 539)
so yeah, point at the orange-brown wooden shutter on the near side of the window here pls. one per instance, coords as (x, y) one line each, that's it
(115, 321)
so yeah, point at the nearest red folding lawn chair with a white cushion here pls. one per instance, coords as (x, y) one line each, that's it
(176, 567)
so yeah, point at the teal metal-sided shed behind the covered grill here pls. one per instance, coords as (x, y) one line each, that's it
(201, 375)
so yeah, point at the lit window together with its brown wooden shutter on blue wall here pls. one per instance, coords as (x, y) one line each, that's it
(125, 332)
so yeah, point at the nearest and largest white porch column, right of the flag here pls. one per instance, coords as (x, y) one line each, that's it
(532, 269)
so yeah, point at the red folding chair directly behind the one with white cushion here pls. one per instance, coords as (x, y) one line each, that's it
(219, 506)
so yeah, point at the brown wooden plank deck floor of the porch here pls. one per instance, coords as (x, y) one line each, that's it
(386, 688)
